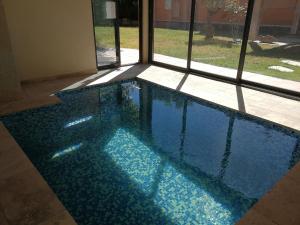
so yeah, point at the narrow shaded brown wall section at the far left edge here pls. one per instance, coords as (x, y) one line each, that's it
(9, 80)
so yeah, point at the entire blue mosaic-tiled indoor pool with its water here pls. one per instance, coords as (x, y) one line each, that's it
(134, 153)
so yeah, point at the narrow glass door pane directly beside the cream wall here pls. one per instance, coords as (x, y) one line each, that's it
(107, 36)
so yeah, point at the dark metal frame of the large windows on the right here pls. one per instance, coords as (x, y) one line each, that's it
(238, 80)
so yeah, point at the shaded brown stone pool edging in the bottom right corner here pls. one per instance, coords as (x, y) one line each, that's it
(280, 206)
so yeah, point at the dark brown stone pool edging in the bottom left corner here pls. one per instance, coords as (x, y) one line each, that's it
(25, 197)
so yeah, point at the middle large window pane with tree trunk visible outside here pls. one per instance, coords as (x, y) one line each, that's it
(217, 37)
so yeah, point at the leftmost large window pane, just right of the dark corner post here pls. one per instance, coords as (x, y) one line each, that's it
(171, 31)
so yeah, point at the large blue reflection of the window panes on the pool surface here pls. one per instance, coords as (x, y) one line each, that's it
(243, 154)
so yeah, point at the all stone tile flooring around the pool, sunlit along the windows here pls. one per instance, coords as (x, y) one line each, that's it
(279, 206)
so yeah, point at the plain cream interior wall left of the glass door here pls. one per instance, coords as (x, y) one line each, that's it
(51, 37)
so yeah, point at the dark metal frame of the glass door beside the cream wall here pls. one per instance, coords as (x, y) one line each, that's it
(117, 36)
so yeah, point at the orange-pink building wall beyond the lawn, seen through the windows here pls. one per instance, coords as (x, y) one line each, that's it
(274, 12)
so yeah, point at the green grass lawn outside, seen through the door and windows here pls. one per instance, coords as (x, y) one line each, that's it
(219, 52)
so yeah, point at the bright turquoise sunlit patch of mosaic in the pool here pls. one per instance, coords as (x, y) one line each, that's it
(178, 197)
